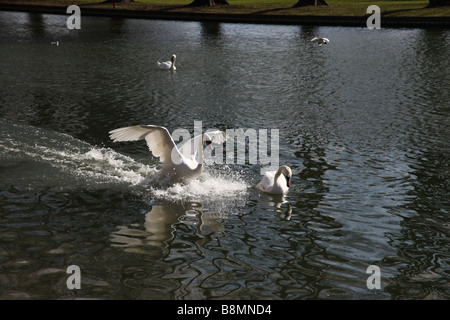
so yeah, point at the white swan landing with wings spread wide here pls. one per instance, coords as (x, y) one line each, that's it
(178, 164)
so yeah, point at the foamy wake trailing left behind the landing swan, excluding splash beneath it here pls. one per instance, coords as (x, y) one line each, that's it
(39, 157)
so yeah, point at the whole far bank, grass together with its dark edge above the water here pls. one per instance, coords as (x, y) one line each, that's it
(394, 13)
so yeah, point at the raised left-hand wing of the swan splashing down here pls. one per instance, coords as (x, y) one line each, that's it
(158, 138)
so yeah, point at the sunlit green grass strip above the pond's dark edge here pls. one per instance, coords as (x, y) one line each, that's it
(346, 8)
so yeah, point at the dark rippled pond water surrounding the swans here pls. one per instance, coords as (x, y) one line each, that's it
(364, 124)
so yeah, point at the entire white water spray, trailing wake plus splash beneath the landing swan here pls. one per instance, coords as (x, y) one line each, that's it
(43, 157)
